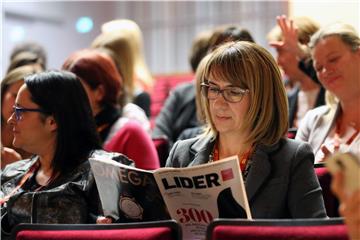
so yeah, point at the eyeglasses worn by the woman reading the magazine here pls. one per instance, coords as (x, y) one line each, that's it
(230, 94)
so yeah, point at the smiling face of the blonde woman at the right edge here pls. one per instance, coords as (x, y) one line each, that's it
(337, 67)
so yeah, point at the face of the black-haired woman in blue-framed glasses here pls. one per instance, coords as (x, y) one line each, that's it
(32, 133)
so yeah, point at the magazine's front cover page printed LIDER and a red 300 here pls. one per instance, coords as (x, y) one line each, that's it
(196, 195)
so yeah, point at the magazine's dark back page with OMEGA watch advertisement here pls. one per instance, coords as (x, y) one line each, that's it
(128, 194)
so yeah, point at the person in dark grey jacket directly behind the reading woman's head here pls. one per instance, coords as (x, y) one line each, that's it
(181, 107)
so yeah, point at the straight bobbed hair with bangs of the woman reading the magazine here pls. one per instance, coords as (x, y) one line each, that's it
(252, 67)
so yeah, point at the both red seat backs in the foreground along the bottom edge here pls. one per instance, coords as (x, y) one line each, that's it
(270, 229)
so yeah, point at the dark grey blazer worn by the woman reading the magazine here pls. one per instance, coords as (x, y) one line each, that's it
(281, 182)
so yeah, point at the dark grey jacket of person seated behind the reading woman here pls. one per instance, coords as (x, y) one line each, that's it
(177, 114)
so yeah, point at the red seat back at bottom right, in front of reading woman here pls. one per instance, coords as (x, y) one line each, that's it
(277, 229)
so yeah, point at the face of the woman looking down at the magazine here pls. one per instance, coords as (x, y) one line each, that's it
(227, 117)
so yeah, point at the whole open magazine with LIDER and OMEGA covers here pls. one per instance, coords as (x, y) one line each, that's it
(193, 196)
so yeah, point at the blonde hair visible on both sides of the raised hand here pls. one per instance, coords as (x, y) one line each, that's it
(306, 28)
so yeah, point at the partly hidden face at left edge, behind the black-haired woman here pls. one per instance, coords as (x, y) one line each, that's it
(8, 100)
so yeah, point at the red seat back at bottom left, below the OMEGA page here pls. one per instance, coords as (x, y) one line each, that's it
(159, 230)
